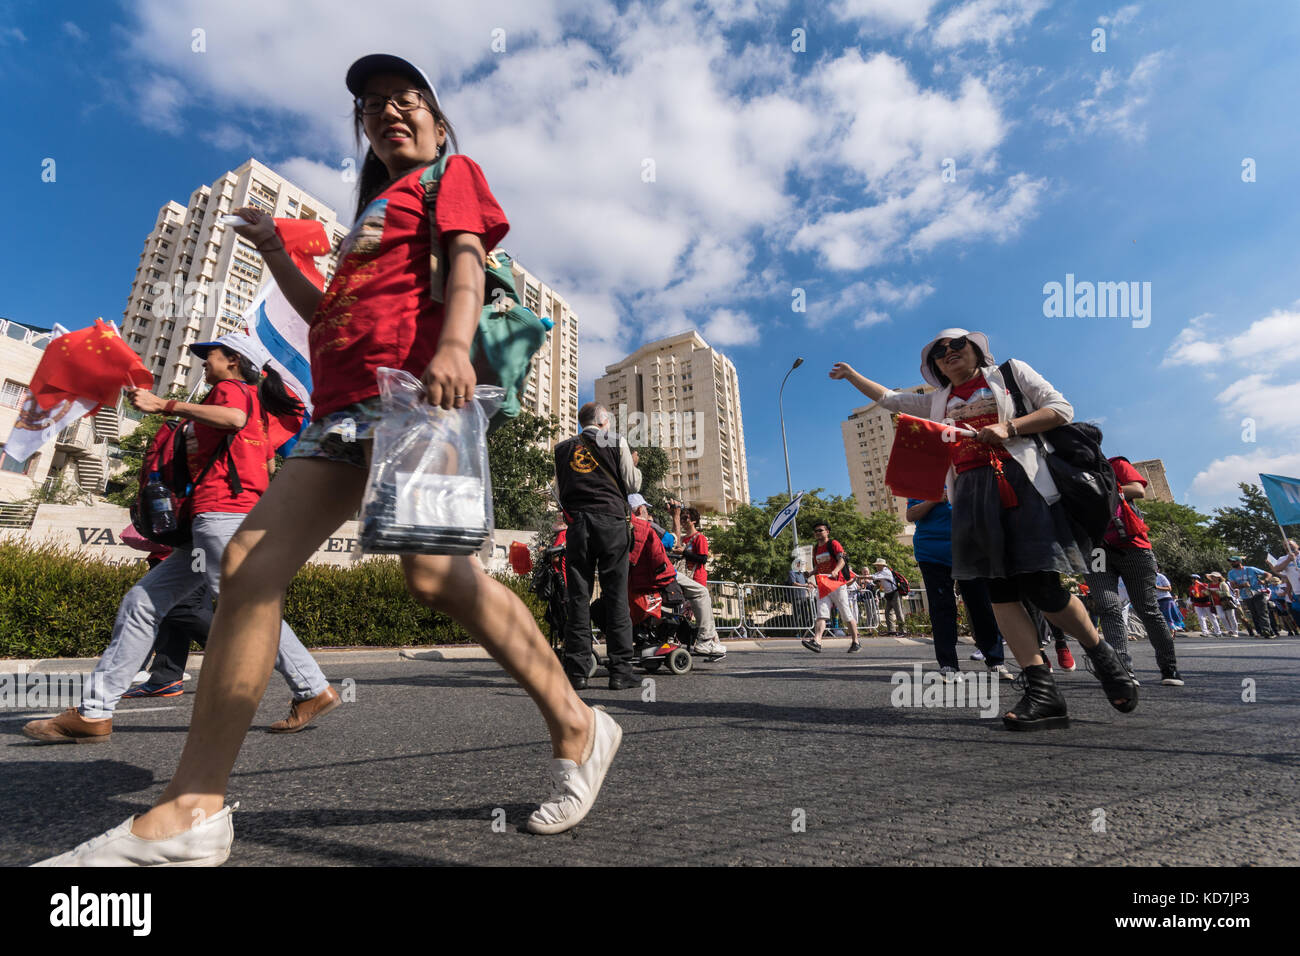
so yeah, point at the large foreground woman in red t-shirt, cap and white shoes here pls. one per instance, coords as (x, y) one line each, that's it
(406, 299)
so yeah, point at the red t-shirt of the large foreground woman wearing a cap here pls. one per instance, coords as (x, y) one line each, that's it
(378, 310)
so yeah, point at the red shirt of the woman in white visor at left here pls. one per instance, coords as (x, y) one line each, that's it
(250, 449)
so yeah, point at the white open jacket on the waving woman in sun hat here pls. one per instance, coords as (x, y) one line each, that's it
(1038, 393)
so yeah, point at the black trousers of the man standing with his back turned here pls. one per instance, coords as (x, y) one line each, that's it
(597, 544)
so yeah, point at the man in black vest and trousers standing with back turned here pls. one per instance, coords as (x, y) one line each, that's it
(595, 474)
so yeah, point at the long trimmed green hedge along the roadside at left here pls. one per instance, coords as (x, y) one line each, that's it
(55, 603)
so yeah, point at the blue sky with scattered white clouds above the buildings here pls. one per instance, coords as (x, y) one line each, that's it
(774, 171)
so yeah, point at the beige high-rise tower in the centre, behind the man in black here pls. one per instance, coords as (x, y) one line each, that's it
(683, 396)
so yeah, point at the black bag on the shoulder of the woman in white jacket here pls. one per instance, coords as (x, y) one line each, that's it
(1081, 471)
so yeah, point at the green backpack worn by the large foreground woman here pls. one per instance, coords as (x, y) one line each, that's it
(509, 334)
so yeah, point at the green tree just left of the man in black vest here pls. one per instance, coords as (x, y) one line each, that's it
(523, 466)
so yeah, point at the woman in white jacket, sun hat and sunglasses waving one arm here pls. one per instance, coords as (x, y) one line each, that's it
(1009, 526)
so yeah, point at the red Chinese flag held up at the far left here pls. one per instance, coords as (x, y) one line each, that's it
(92, 365)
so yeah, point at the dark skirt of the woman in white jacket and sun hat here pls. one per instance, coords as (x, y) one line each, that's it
(995, 542)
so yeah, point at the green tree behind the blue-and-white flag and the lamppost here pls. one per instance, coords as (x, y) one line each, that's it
(746, 552)
